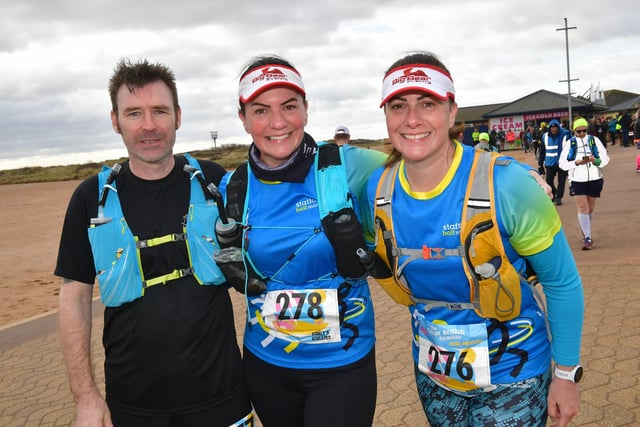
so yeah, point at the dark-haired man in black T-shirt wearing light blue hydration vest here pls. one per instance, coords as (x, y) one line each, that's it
(171, 356)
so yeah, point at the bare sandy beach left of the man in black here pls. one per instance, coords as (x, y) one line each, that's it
(31, 216)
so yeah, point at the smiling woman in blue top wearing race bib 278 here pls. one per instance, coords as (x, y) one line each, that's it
(309, 354)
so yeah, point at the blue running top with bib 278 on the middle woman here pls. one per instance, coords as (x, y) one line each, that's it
(323, 313)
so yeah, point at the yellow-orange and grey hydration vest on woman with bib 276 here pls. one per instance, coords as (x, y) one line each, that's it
(493, 294)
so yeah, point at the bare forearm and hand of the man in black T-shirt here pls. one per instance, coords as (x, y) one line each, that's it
(74, 329)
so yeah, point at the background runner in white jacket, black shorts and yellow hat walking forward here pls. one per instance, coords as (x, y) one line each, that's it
(584, 156)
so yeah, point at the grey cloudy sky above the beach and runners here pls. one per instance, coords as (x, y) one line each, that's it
(57, 58)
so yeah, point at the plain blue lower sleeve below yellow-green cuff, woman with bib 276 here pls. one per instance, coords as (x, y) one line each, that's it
(563, 292)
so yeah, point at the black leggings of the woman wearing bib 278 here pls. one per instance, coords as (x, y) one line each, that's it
(337, 397)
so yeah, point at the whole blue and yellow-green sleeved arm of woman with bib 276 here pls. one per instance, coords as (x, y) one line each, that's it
(535, 232)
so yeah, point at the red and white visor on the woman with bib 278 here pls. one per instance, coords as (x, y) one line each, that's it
(265, 77)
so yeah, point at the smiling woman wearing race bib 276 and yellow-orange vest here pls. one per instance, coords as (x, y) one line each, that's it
(471, 369)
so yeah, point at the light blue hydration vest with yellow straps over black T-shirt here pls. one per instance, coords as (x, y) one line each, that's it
(116, 251)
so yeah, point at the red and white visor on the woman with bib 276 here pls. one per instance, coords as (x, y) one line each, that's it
(423, 78)
